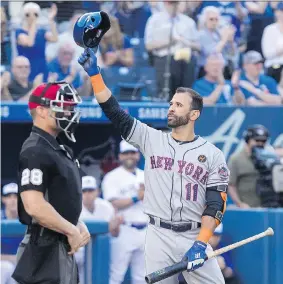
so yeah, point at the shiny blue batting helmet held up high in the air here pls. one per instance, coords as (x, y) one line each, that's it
(90, 28)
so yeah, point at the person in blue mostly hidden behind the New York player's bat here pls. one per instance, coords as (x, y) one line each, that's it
(224, 260)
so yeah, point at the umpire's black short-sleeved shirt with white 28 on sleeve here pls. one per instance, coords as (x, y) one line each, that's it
(49, 167)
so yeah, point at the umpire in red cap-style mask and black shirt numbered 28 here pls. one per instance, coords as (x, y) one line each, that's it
(50, 198)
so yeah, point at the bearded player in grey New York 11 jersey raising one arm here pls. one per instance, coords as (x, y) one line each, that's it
(186, 180)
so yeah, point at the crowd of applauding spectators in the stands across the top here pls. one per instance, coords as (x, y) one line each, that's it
(231, 52)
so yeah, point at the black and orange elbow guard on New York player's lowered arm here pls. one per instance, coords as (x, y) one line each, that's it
(216, 197)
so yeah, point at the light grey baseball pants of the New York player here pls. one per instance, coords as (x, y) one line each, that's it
(165, 247)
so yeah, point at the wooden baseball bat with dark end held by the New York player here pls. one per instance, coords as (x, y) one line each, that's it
(182, 265)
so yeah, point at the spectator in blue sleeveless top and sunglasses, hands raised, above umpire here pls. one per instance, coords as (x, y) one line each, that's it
(31, 38)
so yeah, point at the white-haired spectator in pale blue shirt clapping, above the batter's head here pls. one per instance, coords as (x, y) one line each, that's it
(214, 40)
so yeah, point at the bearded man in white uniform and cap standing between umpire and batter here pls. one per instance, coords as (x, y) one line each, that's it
(124, 187)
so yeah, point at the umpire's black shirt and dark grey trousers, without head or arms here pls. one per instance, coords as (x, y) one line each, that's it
(48, 167)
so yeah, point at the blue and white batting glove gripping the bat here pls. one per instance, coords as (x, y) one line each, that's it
(196, 256)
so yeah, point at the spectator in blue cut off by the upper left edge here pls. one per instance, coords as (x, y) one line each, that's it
(5, 42)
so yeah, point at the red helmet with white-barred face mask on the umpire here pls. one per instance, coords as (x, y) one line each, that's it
(61, 98)
